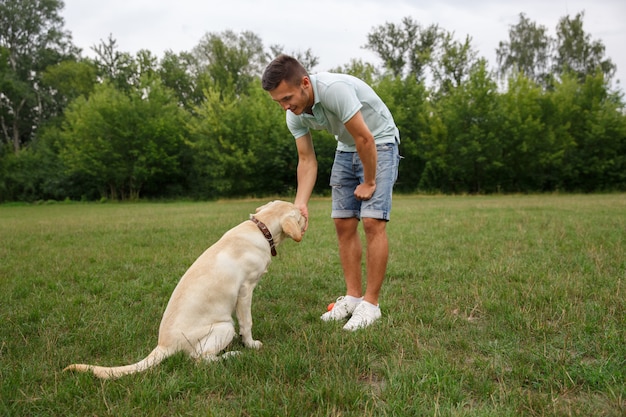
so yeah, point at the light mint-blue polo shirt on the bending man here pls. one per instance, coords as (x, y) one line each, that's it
(338, 97)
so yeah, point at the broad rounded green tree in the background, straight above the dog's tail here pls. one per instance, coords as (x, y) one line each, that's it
(125, 143)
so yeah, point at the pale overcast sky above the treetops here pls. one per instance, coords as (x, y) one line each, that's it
(335, 30)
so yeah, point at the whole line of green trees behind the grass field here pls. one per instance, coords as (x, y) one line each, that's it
(198, 125)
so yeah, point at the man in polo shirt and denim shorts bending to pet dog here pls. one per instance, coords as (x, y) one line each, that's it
(364, 171)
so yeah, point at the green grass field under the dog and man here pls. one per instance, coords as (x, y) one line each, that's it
(493, 306)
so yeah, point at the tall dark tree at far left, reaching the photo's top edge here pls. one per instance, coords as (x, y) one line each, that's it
(31, 39)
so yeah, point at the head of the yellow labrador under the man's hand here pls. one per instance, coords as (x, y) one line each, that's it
(284, 215)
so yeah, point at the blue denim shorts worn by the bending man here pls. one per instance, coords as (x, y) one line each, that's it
(347, 173)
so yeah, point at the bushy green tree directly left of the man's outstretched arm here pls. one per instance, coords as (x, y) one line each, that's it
(241, 145)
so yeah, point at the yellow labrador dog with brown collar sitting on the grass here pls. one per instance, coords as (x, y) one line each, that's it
(199, 315)
